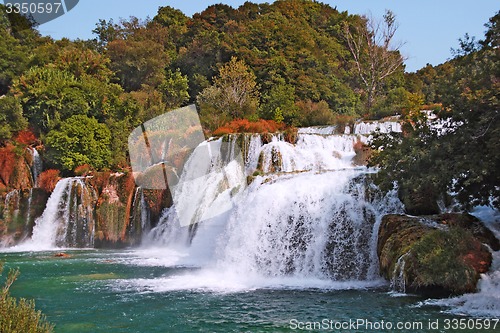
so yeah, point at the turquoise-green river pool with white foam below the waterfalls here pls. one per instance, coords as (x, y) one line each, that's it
(121, 291)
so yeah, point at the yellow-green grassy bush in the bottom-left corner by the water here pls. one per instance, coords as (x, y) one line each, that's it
(19, 315)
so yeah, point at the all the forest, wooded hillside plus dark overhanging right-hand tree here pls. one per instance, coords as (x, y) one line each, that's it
(80, 99)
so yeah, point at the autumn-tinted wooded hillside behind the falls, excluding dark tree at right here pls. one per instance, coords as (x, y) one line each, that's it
(243, 63)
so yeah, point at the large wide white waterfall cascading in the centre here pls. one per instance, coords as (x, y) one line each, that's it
(308, 212)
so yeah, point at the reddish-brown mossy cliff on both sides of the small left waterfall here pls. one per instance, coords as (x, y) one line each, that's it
(102, 209)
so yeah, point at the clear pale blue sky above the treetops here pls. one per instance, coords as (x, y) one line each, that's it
(428, 28)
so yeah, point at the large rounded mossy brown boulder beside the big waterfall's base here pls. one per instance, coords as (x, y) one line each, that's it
(436, 255)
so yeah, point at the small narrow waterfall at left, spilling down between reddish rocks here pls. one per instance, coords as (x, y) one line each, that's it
(68, 219)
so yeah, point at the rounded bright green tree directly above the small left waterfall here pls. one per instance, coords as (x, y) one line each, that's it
(79, 140)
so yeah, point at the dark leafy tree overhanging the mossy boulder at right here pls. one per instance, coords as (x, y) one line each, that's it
(457, 154)
